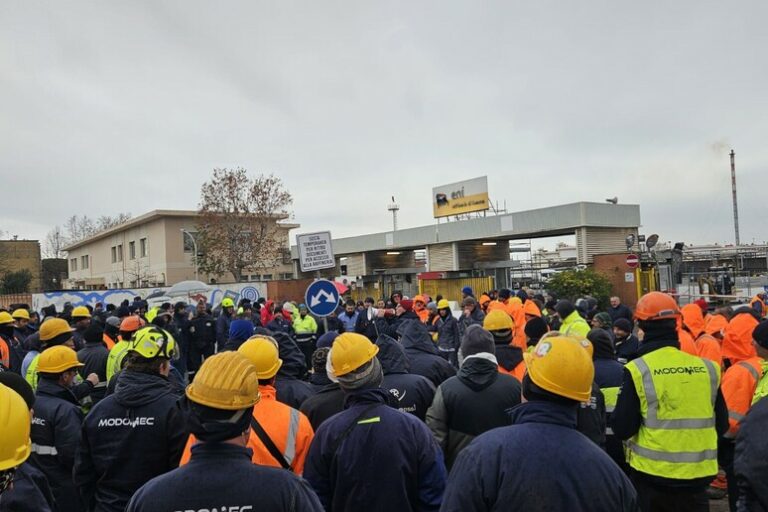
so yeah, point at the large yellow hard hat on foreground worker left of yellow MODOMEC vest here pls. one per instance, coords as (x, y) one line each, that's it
(561, 365)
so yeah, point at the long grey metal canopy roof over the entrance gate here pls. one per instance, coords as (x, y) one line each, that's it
(541, 222)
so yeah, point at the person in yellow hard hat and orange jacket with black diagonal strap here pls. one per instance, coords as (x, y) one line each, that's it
(287, 429)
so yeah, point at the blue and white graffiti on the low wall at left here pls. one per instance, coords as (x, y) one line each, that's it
(213, 295)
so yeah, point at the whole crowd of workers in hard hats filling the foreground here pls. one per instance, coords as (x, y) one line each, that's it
(517, 402)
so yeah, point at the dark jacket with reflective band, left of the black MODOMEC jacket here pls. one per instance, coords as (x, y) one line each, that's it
(56, 427)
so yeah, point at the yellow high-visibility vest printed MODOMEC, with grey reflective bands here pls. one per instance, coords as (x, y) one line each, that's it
(677, 438)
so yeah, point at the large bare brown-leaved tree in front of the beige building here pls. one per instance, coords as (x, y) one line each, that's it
(237, 228)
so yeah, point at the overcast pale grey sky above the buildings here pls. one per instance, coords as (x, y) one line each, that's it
(127, 106)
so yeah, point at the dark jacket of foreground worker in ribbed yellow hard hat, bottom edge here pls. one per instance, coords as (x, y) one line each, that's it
(221, 477)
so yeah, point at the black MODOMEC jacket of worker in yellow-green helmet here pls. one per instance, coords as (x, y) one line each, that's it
(127, 439)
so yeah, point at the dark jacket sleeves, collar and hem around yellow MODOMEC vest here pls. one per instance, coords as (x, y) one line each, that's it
(626, 418)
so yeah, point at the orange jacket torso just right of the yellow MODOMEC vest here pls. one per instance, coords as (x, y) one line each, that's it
(738, 387)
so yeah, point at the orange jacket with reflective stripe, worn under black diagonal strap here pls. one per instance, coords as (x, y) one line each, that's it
(288, 429)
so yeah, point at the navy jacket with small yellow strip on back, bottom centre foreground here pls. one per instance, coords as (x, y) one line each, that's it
(388, 461)
